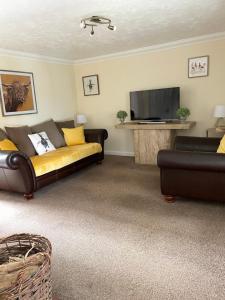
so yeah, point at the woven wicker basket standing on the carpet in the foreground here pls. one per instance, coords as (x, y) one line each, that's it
(25, 268)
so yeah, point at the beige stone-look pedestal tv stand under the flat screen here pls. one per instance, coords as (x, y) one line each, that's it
(149, 138)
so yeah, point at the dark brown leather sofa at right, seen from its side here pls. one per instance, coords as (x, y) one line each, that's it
(192, 169)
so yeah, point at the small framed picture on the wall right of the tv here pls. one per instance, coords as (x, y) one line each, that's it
(198, 66)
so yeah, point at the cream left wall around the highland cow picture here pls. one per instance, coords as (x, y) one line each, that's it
(54, 87)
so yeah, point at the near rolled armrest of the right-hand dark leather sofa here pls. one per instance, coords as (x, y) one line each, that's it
(172, 159)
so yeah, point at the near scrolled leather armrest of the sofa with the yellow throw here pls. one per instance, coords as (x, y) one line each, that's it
(16, 172)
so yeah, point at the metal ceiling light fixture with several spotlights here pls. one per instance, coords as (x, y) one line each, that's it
(95, 21)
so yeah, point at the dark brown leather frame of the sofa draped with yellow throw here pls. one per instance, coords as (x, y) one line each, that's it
(17, 172)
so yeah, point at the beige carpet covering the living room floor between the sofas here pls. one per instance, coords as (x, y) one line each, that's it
(114, 237)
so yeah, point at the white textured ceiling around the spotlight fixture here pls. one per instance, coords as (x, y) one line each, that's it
(51, 27)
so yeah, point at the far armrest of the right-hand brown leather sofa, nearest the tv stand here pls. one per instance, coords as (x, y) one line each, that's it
(197, 144)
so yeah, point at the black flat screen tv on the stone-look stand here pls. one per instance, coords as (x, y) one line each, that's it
(155, 105)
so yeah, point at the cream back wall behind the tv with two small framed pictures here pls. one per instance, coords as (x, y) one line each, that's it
(165, 68)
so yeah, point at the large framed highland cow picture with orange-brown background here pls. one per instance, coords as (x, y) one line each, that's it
(17, 93)
